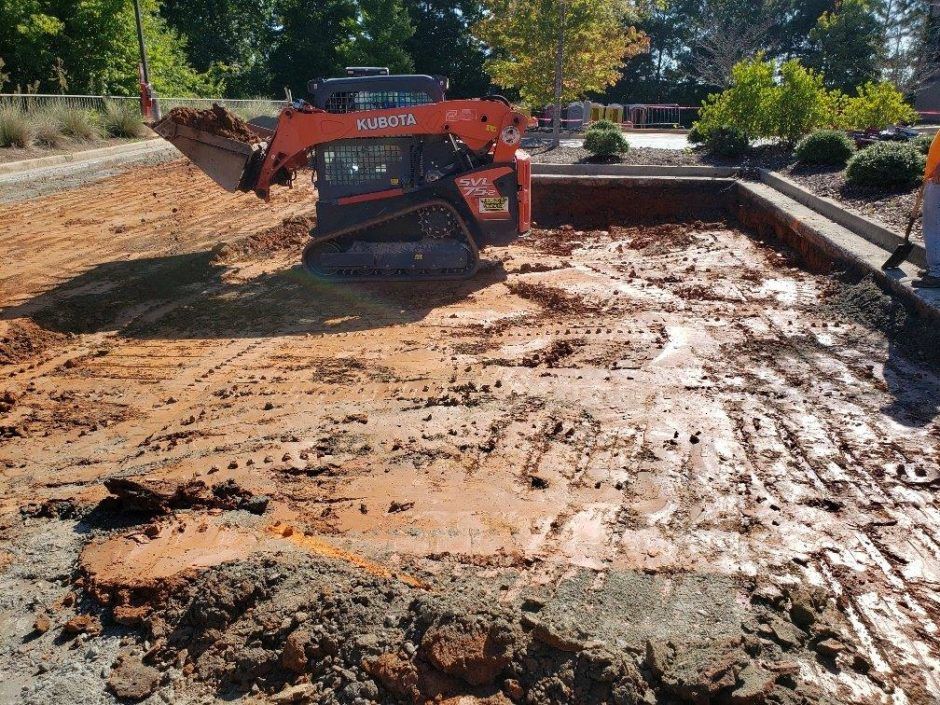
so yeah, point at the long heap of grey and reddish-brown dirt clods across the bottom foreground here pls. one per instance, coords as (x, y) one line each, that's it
(319, 631)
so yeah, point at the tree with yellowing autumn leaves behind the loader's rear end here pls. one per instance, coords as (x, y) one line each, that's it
(599, 37)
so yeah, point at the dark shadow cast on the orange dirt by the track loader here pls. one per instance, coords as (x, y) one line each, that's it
(188, 296)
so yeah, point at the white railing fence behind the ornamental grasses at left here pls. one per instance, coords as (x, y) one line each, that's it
(38, 102)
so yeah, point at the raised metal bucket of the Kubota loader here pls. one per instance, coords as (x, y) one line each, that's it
(226, 161)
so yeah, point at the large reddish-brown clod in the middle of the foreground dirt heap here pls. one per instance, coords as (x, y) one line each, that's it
(474, 652)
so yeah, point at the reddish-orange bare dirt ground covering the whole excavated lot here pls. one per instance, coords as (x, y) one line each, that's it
(641, 465)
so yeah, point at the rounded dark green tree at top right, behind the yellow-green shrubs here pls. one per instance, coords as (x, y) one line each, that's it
(847, 46)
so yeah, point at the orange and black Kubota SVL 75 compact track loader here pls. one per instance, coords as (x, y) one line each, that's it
(410, 185)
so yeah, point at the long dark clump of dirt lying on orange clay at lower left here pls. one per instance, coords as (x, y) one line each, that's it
(157, 496)
